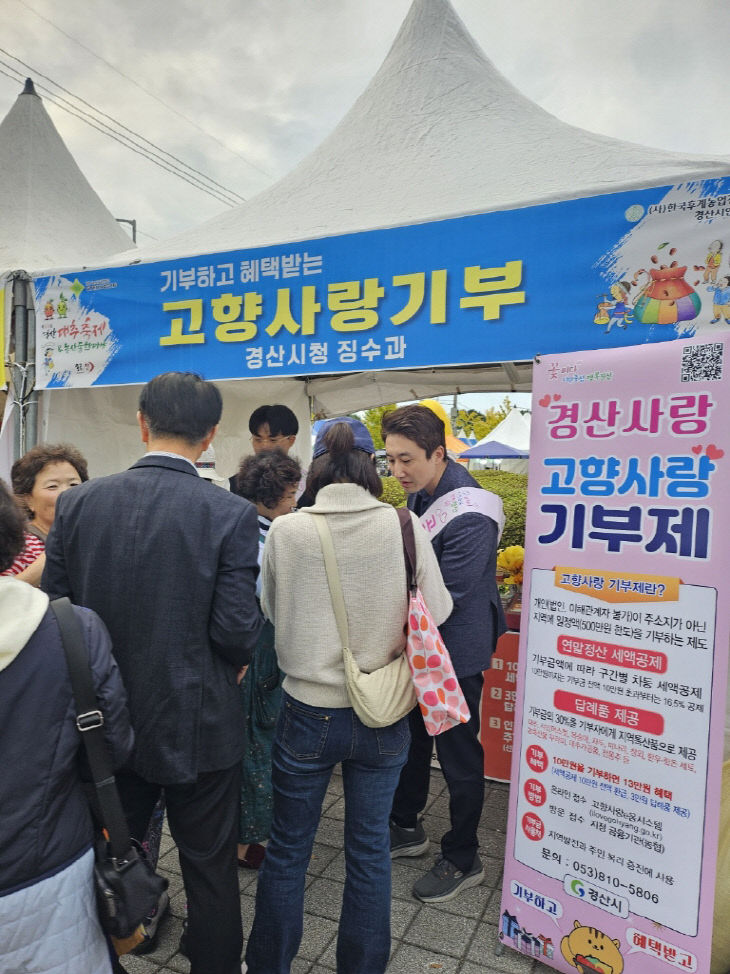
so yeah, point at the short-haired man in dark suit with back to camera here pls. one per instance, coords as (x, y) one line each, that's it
(169, 562)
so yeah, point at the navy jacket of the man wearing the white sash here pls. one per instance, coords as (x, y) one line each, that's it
(466, 550)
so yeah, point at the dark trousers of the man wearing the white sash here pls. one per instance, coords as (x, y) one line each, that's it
(460, 754)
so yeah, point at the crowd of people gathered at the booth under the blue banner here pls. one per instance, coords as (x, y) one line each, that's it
(218, 666)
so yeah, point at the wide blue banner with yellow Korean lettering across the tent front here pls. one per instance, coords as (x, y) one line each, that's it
(619, 269)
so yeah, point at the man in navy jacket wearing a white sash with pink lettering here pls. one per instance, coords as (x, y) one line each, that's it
(464, 533)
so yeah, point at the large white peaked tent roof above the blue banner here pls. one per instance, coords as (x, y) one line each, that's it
(439, 132)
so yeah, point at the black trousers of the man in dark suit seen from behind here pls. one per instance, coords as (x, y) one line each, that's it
(203, 821)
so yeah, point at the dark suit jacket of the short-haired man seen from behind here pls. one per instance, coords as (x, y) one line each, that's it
(169, 562)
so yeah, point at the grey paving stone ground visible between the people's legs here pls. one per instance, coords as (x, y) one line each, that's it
(458, 937)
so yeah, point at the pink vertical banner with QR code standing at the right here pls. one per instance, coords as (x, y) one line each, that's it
(612, 833)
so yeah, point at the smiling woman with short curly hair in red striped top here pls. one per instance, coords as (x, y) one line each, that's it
(38, 478)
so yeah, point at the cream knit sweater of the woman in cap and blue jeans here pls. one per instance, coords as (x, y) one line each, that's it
(295, 594)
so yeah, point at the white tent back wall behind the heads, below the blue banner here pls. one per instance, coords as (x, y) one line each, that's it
(102, 423)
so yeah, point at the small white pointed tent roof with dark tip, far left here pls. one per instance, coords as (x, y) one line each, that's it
(49, 214)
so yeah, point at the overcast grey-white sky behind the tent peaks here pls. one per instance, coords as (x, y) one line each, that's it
(251, 86)
